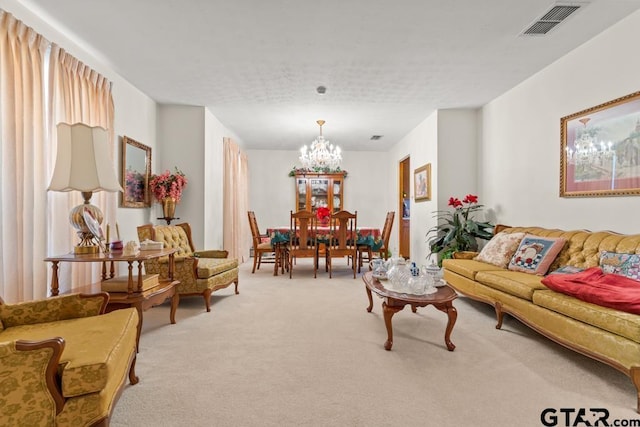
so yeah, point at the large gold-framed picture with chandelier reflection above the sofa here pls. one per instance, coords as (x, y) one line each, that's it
(600, 150)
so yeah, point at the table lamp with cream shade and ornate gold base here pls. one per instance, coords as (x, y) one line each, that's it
(83, 163)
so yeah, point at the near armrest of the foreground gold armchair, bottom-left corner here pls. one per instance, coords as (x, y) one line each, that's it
(29, 381)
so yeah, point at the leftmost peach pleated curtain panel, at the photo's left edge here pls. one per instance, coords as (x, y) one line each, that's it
(23, 170)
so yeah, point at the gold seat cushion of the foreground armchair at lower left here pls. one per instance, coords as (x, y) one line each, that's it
(93, 345)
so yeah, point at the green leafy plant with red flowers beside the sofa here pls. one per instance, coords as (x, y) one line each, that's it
(458, 230)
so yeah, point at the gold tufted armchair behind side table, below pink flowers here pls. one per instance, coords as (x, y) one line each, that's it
(199, 272)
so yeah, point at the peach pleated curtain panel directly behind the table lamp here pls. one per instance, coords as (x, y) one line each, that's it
(76, 94)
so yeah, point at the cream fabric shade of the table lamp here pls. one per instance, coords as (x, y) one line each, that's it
(83, 161)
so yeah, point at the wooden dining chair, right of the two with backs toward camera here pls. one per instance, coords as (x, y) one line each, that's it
(342, 239)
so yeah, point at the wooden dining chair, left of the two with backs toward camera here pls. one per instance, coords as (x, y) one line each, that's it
(303, 239)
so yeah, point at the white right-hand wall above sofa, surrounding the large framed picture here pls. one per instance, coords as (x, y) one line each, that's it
(520, 147)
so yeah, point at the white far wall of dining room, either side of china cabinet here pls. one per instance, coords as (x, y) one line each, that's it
(272, 191)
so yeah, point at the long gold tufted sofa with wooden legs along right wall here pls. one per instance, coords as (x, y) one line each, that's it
(605, 334)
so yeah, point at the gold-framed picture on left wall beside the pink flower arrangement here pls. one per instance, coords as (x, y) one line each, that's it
(136, 173)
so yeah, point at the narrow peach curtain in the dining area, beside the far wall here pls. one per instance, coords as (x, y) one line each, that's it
(237, 235)
